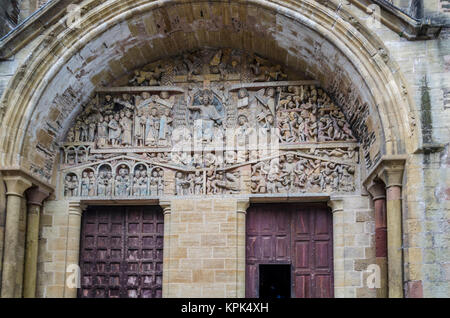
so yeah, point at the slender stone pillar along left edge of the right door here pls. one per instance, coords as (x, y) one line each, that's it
(242, 206)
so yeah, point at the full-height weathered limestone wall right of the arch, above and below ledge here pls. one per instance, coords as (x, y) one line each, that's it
(426, 208)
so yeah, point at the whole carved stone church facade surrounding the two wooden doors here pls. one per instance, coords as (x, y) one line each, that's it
(382, 86)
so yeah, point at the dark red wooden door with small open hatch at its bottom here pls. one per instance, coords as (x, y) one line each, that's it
(296, 234)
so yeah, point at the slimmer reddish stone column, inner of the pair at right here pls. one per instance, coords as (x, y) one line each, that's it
(378, 192)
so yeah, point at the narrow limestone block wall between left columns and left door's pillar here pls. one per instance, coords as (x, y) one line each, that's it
(52, 249)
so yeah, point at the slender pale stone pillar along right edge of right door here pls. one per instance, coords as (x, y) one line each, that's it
(337, 208)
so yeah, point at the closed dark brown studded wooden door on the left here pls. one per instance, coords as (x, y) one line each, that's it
(122, 252)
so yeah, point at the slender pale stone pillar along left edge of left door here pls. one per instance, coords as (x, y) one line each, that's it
(73, 247)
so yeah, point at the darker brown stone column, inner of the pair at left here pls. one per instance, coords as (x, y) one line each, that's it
(35, 197)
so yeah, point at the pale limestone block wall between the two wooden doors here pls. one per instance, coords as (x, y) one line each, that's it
(200, 253)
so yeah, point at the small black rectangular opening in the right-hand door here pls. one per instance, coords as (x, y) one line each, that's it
(275, 281)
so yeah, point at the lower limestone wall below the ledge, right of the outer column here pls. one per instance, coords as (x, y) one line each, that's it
(426, 229)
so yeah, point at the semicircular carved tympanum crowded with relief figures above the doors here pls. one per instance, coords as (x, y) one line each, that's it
(193, 121)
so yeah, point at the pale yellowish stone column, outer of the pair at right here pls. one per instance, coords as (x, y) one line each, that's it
(392, 175)
